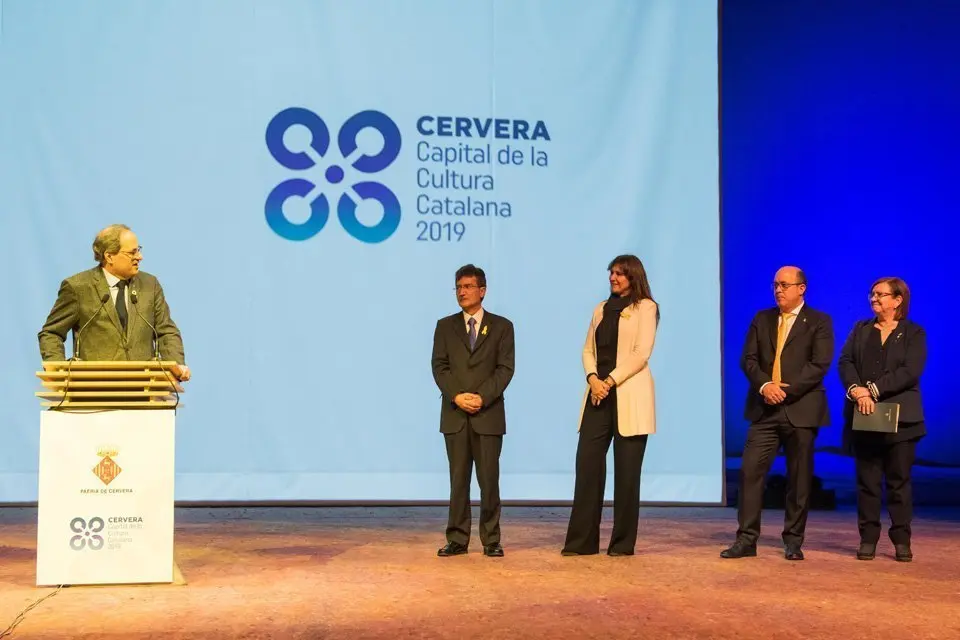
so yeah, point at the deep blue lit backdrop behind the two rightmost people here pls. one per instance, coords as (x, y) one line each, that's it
(839, 143)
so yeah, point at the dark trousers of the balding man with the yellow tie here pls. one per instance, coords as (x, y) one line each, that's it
(763, 441)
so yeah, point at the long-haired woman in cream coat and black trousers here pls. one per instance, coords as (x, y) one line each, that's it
(618, 406)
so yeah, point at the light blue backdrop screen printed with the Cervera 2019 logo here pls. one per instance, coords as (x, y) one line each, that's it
(297, 173)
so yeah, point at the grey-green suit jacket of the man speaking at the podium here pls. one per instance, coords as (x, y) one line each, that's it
(78, 301)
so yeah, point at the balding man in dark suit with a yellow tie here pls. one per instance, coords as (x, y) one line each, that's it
(786, 356)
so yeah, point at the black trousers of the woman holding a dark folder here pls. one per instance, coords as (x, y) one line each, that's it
(875, 461)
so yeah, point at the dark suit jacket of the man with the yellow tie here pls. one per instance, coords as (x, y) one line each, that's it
(804, 362)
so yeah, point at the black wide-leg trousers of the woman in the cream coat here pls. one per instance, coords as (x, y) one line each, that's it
(598, 428)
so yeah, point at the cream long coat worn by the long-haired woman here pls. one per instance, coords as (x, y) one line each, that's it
(636, 414)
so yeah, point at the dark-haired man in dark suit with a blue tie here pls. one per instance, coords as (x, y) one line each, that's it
(473, 364)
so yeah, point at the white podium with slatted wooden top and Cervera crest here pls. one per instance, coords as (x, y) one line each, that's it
(105, 502)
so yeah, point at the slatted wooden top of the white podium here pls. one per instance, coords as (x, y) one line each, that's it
(97, 385)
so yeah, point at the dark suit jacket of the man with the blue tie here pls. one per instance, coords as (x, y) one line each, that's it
(487, 371)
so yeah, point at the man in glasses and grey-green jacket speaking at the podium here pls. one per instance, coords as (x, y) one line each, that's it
(116, 311)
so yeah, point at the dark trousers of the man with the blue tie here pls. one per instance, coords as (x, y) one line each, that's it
(465, 448)
